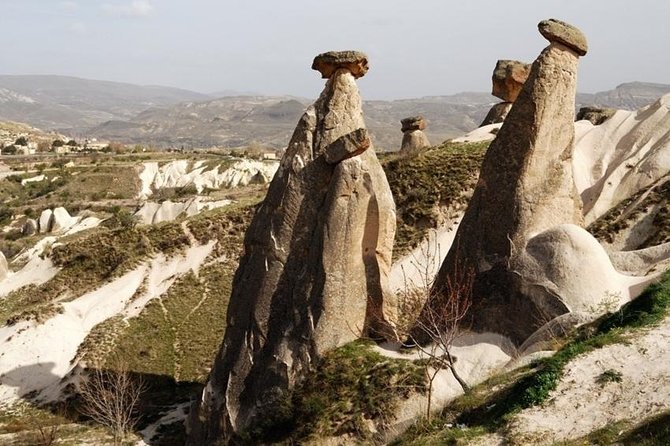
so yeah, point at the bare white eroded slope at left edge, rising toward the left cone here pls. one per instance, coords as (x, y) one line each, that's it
(37, 356)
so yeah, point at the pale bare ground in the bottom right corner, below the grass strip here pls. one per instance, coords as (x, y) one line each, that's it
(582, 403)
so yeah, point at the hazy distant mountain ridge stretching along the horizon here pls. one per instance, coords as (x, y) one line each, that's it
(166, 116)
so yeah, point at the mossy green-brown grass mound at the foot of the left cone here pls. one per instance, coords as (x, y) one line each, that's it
(350, 388)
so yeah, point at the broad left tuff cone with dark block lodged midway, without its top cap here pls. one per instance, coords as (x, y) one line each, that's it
(314, 271)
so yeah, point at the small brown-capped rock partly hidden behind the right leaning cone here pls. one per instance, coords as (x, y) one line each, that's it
(508, 79)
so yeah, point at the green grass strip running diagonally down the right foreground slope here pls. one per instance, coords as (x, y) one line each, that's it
(491, 405)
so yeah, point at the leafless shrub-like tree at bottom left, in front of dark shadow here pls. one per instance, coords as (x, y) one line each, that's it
(111, 397)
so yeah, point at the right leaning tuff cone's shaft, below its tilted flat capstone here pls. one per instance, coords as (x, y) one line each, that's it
(525, 187)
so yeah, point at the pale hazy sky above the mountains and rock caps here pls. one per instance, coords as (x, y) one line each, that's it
(416, 48)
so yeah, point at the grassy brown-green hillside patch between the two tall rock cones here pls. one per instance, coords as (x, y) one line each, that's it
(427, 183)
